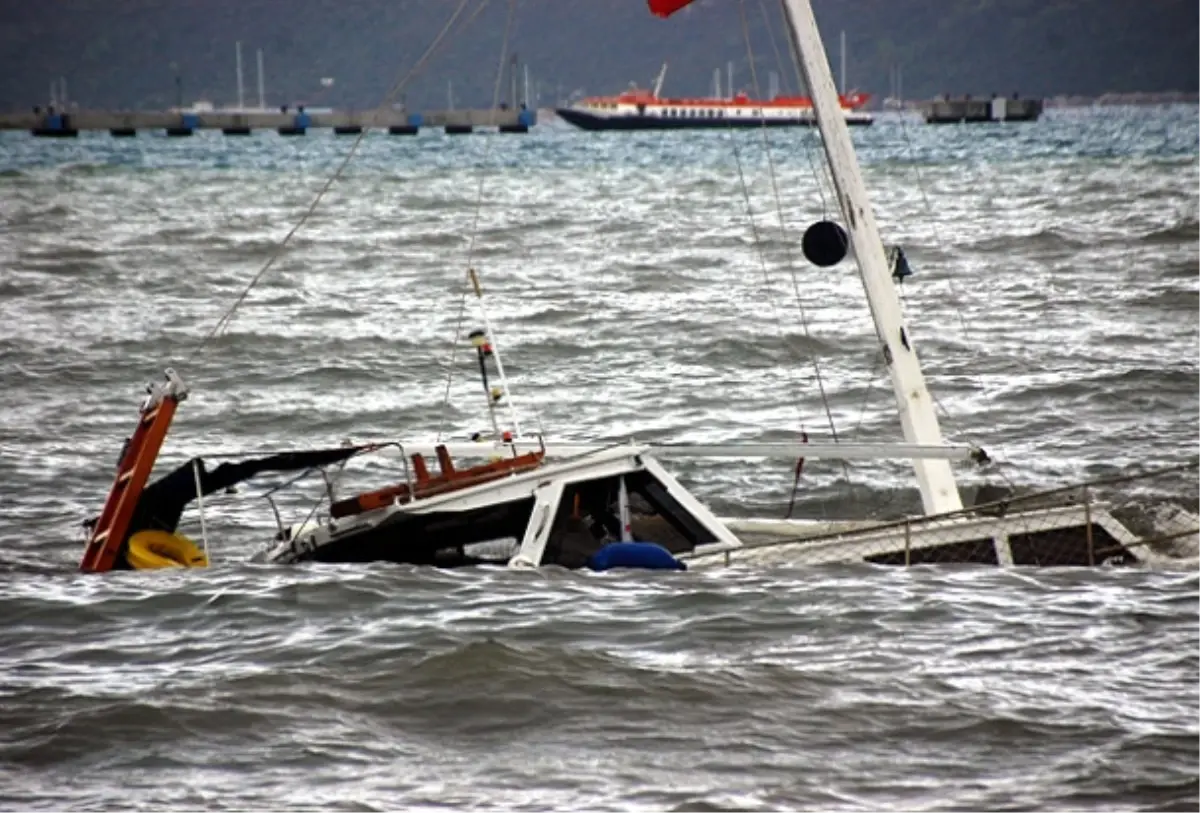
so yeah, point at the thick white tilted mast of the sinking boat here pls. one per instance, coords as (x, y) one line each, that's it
(939, 492)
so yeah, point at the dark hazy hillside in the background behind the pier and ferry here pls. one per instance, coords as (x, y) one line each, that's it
(121, 53)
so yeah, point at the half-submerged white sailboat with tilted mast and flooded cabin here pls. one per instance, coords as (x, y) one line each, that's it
(531, 503)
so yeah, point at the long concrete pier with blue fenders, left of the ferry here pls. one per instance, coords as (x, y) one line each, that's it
(292, 123)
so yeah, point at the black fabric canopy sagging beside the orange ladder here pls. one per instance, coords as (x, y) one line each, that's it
(163, 502)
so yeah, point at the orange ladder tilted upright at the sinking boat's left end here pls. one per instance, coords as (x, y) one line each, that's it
(133, 474)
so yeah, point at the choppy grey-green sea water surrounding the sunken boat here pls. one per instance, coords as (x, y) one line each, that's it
(1055, 299)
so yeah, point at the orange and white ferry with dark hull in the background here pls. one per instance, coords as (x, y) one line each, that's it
(645, 110)
